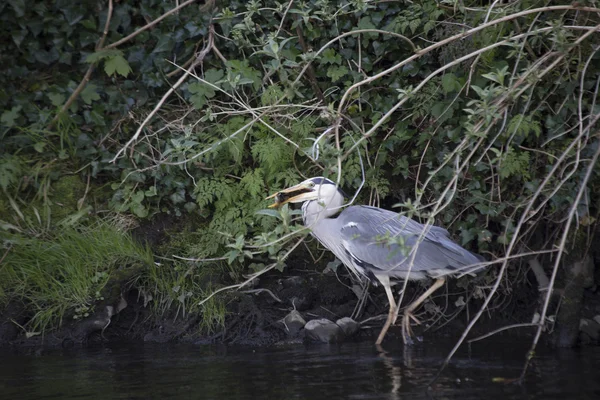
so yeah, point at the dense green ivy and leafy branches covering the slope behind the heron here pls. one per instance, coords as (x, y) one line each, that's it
(483, 119)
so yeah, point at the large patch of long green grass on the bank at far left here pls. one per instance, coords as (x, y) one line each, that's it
(63, 274)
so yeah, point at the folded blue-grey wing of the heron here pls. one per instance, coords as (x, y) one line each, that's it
(383, 241)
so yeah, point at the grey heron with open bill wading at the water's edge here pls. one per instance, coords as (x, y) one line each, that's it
(377, 243)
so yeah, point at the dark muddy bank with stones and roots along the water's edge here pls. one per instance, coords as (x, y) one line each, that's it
(255, 315)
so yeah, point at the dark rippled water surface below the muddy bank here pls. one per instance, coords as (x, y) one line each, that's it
(344, 371)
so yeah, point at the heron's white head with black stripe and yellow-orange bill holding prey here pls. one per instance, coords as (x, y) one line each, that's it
(319, 188)
